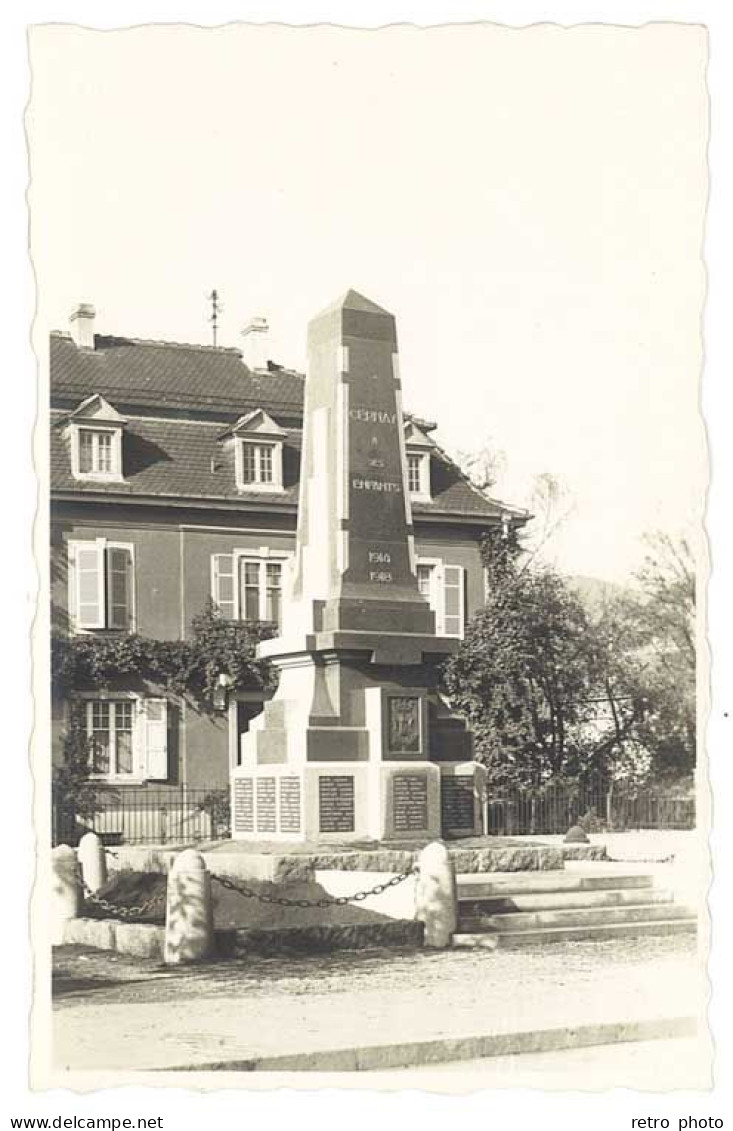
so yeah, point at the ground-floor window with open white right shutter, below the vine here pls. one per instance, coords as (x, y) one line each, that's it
(128, 738)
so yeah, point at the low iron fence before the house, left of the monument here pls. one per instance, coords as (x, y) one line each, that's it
(145, 817)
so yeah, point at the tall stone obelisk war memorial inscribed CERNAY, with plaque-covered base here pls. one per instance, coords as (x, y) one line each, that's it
(357, 740)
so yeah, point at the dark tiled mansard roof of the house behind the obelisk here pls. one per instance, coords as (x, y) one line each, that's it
(180, 401)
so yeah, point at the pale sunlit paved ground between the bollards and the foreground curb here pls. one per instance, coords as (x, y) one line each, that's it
(116, 1014)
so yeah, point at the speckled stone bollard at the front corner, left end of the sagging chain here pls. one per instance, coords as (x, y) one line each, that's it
(189, 911)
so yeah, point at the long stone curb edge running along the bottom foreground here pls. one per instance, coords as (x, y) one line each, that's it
(443, 1050)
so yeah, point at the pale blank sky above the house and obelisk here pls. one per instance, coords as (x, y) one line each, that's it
(530, 204)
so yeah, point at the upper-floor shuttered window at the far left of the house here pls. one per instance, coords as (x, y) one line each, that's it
(101, 586)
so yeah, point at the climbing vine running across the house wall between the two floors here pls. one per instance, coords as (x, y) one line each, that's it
(188, 668)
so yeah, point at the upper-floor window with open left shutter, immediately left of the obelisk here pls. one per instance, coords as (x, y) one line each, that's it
(248, 589)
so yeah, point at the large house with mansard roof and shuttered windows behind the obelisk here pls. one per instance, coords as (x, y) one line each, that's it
(175, 489)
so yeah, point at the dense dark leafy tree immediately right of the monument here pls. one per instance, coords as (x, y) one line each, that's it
(523, 675)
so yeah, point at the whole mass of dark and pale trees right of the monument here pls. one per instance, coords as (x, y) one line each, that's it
(555, 693)
